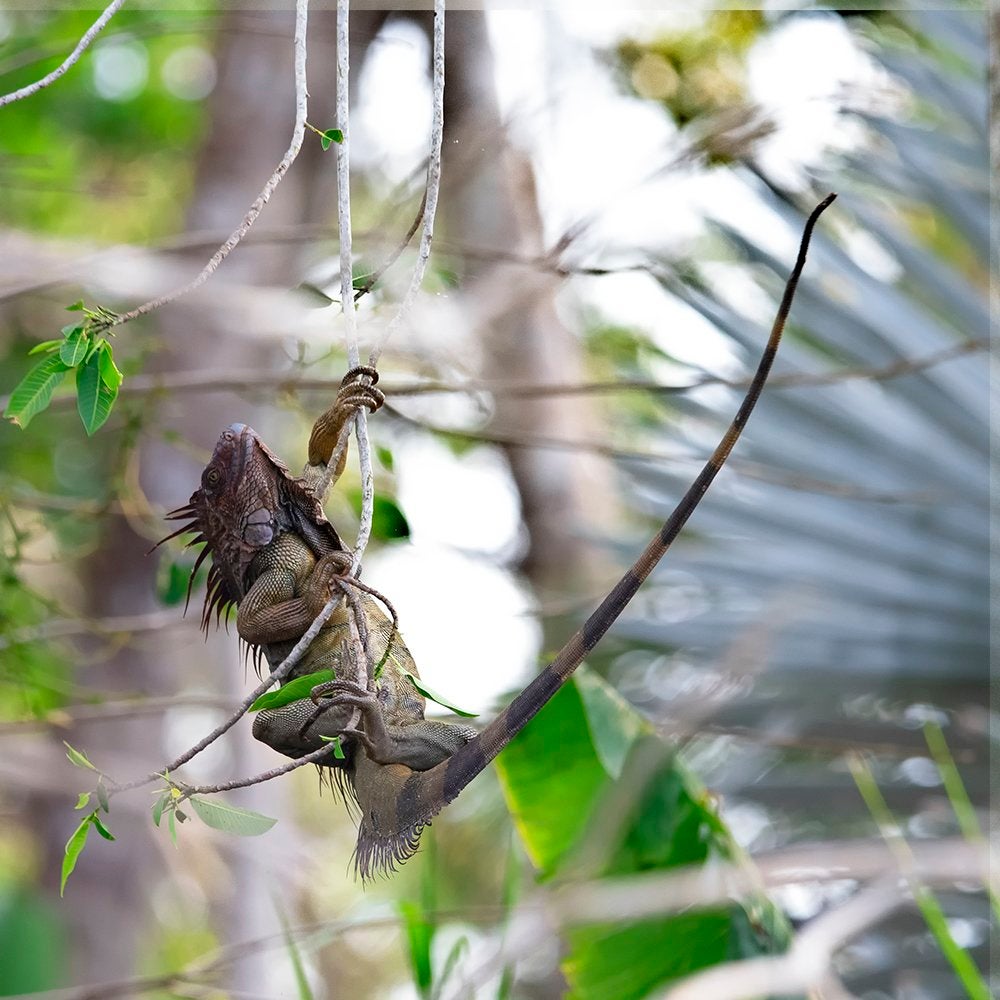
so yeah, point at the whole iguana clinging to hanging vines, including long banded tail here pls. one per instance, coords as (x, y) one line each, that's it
(402, 769)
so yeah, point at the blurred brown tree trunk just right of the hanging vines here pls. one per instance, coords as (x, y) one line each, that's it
(489, 202)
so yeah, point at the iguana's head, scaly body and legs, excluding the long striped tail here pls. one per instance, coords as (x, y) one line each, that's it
(277, 558)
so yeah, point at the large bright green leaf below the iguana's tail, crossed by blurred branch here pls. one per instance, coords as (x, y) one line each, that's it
(588, 758)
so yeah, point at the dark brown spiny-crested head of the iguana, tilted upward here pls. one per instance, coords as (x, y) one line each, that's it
(246, 499)
